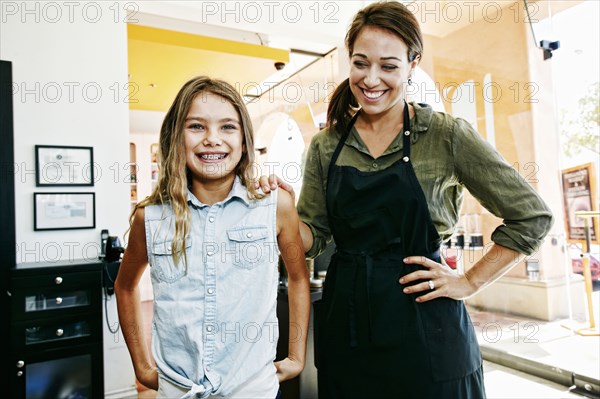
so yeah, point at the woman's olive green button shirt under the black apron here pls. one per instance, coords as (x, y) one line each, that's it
(448, 155)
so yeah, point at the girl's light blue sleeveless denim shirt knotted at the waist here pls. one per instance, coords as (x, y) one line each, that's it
(215, 322)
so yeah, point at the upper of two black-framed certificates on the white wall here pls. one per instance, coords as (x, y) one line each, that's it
(64, 166)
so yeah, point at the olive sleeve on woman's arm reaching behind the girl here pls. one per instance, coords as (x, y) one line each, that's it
(312, 204)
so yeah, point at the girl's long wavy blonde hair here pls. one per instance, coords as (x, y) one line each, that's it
(173, 175)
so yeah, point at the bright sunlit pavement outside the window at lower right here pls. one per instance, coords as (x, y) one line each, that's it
(541, 348)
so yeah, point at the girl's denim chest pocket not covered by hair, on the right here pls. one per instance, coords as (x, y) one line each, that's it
(249, 247)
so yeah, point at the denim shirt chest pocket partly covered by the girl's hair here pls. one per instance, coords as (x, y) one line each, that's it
(164, 268)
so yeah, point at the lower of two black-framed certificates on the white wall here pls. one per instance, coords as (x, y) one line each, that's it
(64, 211)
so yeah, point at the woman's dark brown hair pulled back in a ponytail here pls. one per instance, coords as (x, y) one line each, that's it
(395, 18)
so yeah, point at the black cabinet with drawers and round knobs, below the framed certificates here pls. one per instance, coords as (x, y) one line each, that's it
(56, 330)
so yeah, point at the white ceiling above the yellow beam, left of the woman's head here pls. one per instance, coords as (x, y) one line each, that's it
(314, 26)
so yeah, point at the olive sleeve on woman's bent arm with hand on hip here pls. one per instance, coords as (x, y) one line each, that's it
(501, 190)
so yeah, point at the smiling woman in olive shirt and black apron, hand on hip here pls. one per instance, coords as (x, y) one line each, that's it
(385, 180)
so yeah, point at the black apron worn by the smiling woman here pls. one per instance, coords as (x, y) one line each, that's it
(371, 339)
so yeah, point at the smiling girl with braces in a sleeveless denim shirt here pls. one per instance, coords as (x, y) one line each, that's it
(212, 243)
